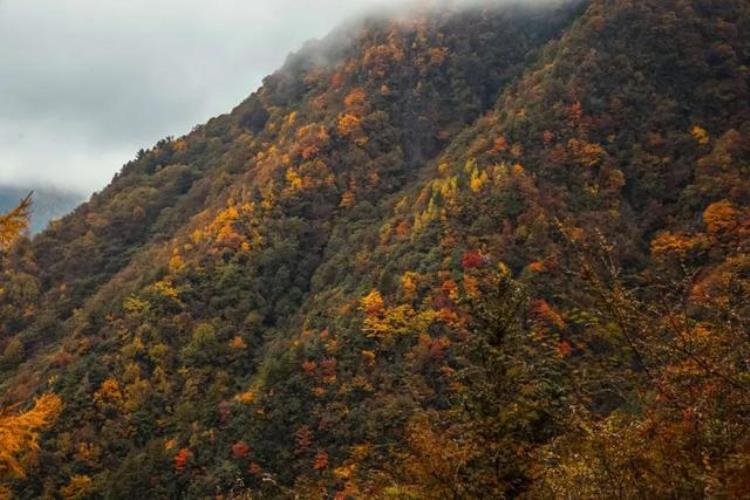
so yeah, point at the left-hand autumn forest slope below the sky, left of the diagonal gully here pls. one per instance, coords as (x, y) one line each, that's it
(152, 306)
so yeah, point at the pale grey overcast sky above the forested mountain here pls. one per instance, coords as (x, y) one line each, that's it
(84, 84)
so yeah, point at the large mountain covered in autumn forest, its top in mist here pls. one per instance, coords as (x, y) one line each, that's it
(458, 253)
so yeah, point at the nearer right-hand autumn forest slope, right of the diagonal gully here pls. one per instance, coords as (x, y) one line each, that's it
(611, 180)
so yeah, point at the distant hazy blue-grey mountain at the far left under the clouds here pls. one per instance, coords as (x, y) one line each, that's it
(49, 204)
